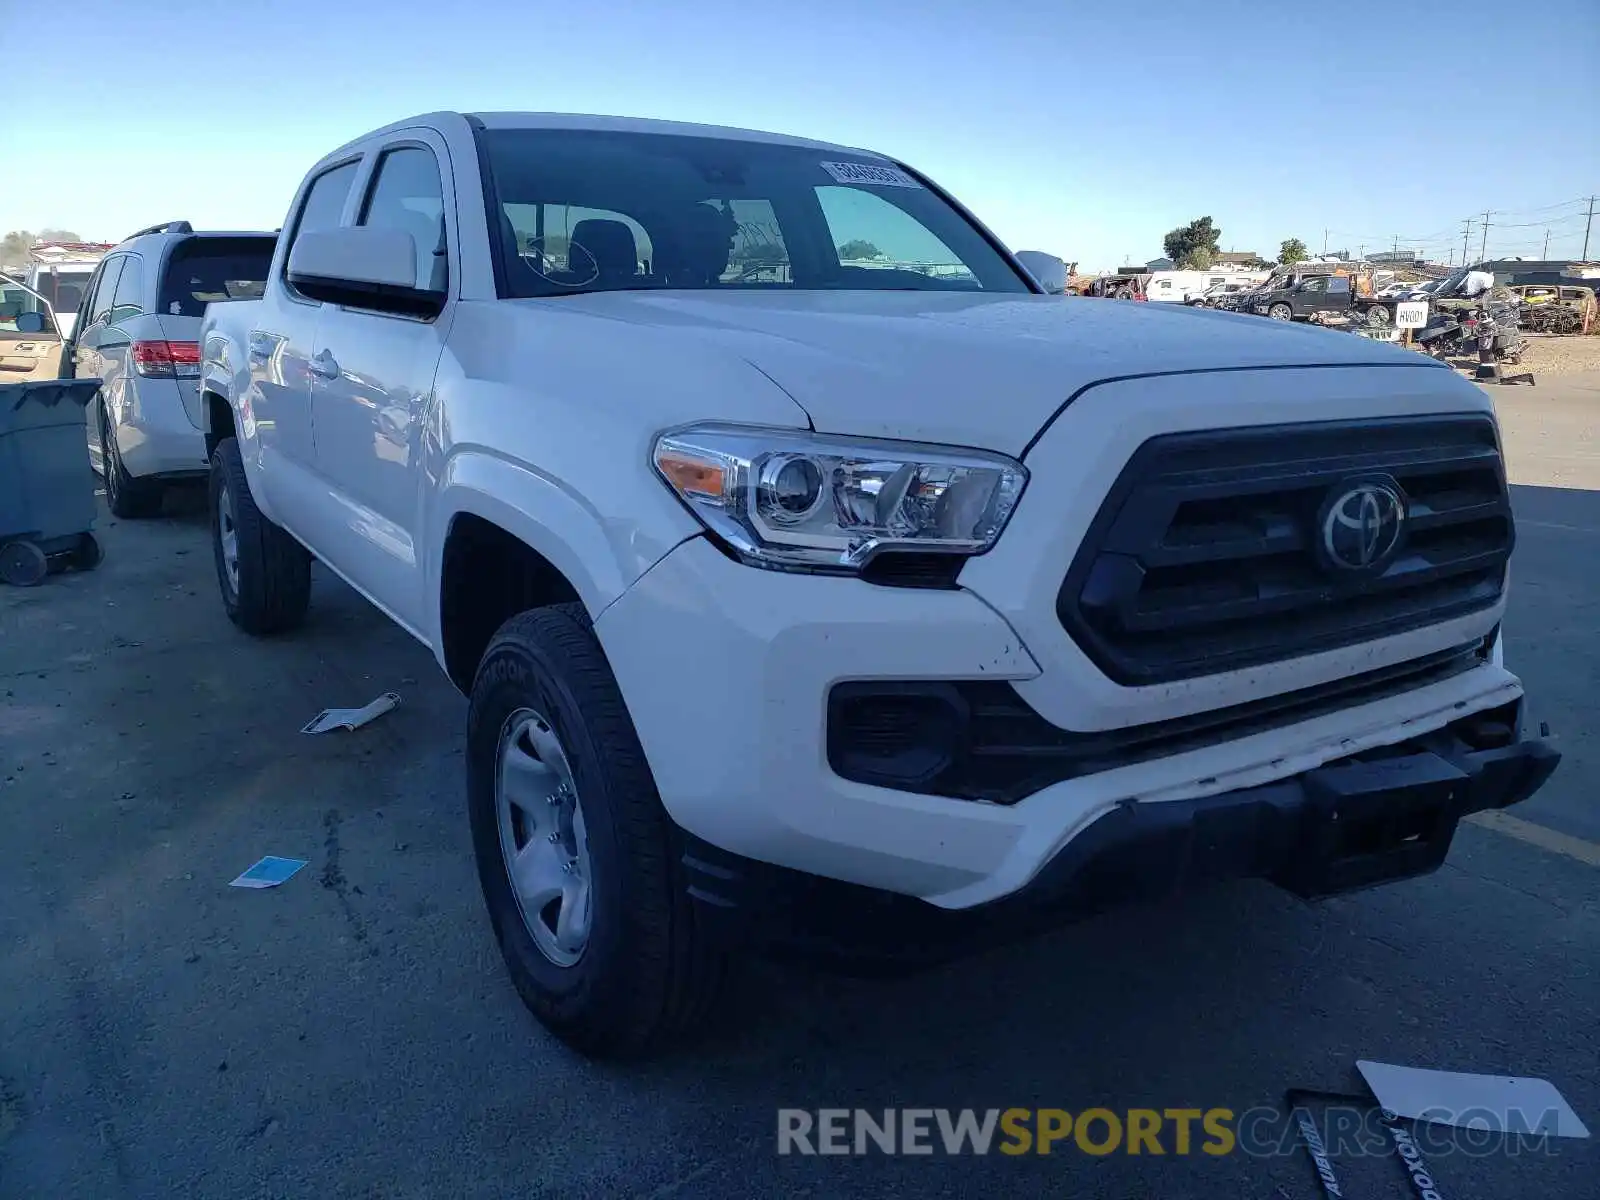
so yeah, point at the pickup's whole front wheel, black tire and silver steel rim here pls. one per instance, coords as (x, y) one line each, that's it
(577, 857)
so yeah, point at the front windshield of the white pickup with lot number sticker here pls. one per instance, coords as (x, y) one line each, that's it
(583, 210)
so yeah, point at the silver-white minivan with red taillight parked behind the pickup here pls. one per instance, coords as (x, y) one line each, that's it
(138, 330)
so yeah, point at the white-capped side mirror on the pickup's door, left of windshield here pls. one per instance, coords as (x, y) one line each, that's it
(364, 268)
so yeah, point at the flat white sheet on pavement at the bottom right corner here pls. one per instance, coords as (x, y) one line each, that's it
(1502, 1103)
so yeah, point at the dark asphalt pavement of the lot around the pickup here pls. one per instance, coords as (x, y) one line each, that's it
(351, 1034)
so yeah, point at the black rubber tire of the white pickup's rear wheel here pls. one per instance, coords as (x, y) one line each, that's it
(268, 586)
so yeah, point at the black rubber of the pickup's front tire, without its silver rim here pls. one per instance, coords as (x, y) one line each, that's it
(647, 974)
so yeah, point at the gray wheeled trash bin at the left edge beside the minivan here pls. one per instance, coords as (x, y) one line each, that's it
(47, 489)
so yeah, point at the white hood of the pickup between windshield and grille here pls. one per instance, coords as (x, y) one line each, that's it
(956, 369)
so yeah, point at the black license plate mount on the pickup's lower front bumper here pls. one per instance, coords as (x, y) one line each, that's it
(1378, 822)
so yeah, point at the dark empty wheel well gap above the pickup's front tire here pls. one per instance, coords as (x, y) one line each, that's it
(487, 578)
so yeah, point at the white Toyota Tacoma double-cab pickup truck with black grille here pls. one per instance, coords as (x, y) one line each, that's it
(817, 580)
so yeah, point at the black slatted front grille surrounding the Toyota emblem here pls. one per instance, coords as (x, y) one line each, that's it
(1212, 551)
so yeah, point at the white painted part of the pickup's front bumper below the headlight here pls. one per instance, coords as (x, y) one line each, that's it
(727, 674)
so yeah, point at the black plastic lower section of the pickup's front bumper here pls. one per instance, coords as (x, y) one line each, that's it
(1335, 830)
